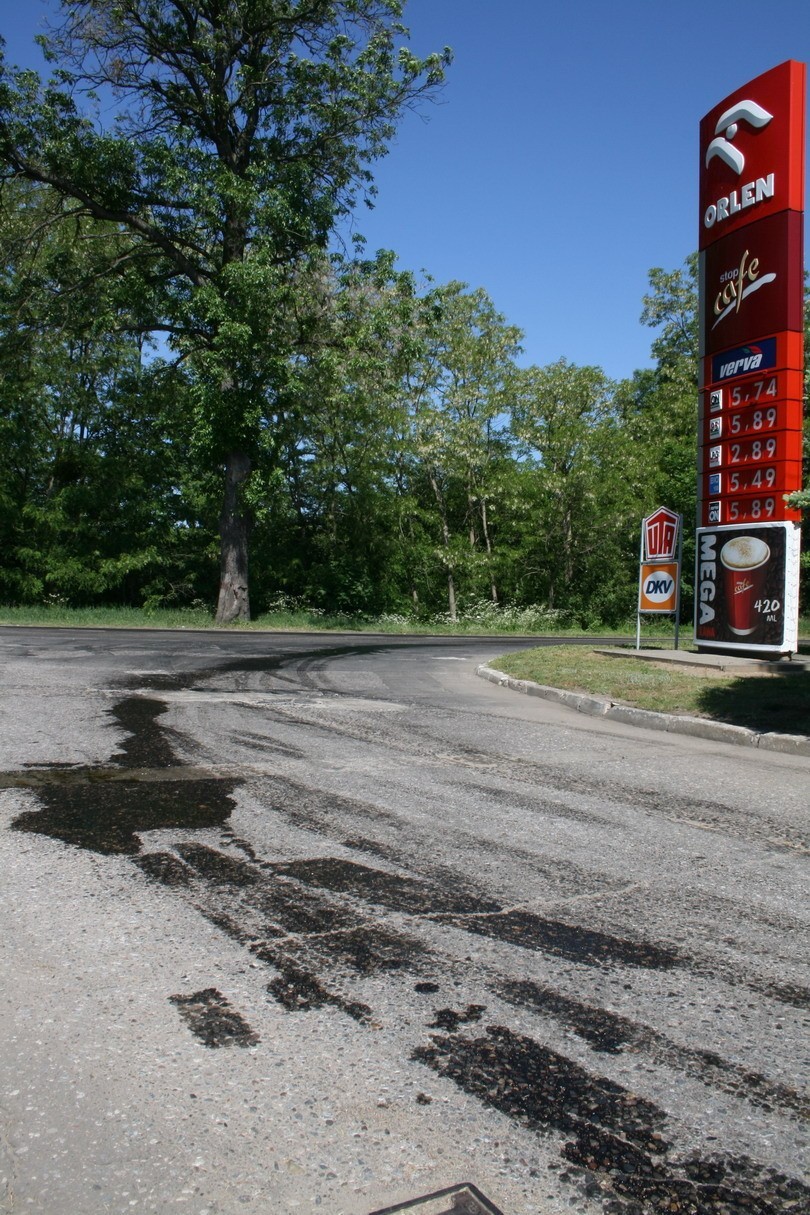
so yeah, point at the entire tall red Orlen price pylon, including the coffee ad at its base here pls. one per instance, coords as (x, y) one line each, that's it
(752, 364)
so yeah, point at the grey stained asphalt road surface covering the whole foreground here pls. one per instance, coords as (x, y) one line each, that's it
(326, 924)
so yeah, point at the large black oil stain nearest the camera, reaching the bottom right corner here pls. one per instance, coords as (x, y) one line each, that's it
(616, 1138)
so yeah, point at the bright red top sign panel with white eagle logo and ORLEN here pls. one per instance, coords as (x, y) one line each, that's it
(747, 167)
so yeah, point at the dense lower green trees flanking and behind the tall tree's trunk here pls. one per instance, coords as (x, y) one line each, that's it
(405, 461)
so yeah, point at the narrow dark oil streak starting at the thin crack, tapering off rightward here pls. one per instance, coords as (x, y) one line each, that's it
(569, 941)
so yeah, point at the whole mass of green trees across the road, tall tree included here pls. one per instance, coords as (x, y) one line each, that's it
(191, 381)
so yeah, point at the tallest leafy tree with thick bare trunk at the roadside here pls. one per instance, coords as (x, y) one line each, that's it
(242, 132)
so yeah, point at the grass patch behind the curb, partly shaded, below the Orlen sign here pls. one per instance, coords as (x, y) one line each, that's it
(778, 703)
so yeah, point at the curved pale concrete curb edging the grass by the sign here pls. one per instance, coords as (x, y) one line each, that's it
(672, 724)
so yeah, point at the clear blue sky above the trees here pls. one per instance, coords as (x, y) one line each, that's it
(562, 162)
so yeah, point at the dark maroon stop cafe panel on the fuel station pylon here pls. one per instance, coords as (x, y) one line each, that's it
(754, 282)
